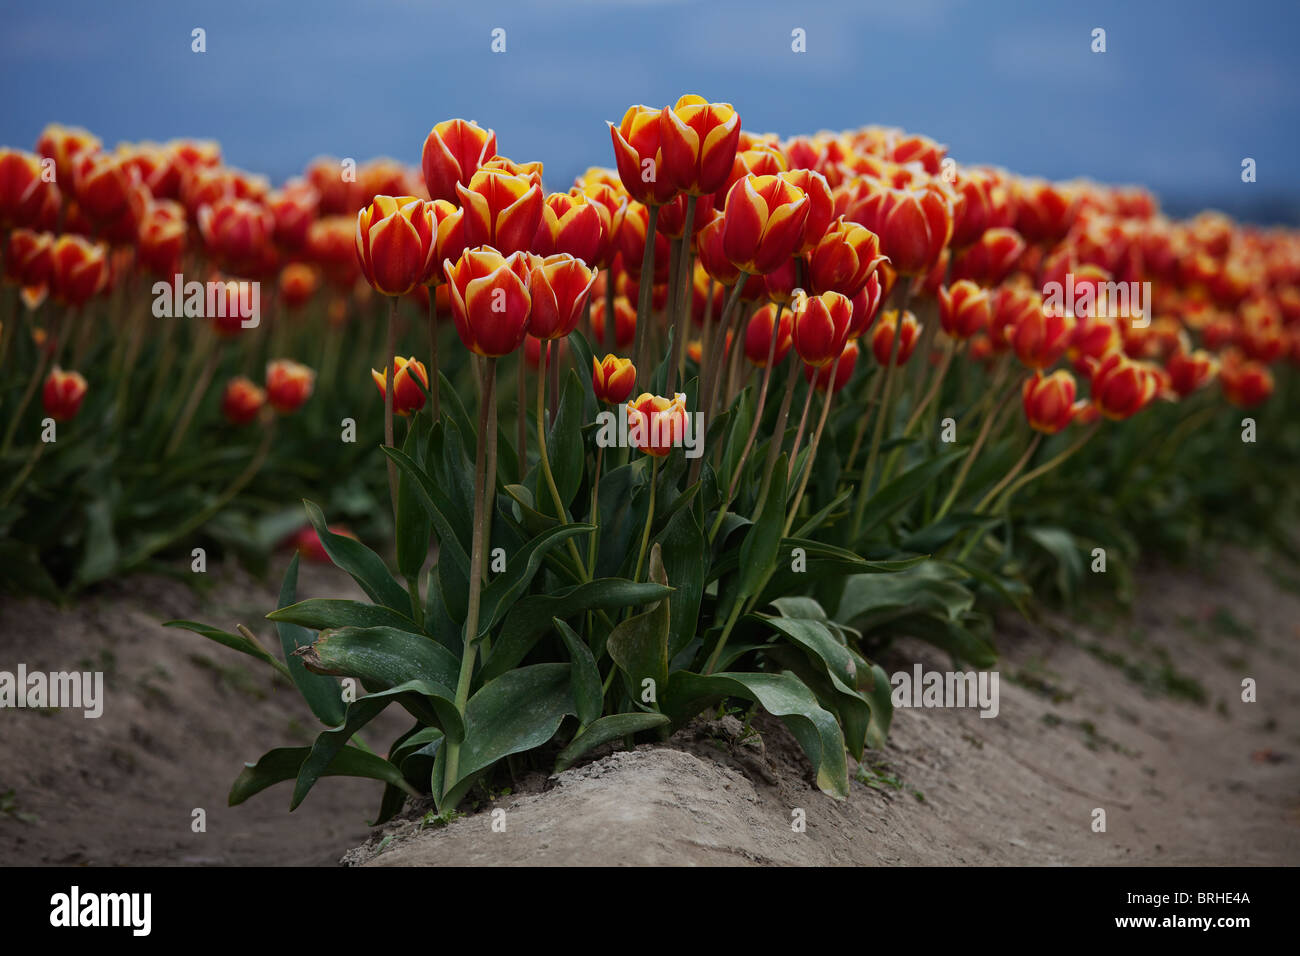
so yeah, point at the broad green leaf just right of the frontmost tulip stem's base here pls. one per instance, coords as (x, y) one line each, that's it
(519, 711)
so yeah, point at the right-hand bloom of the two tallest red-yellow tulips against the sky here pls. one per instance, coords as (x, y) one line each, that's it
(699, 144)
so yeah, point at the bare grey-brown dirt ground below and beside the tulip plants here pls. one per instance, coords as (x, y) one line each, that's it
(1138, 716)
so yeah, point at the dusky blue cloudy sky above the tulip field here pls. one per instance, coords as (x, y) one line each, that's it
(1182, 94)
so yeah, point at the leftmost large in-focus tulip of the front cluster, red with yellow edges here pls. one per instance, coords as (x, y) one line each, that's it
(396, 244)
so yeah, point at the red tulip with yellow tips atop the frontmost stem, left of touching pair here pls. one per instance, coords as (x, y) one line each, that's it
(491, 302)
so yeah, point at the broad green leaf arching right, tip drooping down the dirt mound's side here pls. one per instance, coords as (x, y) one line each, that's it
(781, 695)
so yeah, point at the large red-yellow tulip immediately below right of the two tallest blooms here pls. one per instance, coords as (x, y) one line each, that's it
(764, 223)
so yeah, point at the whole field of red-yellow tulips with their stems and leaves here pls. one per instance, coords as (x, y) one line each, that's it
(708, 430)
